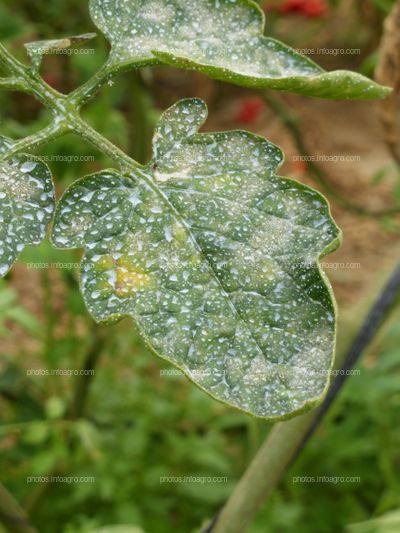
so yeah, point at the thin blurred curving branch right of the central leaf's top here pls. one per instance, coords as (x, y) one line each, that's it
(291, 122)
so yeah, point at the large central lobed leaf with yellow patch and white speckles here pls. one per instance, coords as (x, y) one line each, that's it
(216, 260)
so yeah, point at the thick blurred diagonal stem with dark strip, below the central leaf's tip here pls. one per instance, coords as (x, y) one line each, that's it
(286, 439)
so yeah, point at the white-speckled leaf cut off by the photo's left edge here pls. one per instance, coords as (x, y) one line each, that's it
(26, 204)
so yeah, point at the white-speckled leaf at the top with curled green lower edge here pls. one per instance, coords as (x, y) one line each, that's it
(222, 38)
